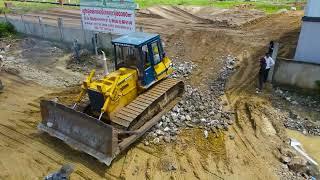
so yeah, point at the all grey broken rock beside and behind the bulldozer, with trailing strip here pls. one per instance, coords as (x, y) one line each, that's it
(196, 109)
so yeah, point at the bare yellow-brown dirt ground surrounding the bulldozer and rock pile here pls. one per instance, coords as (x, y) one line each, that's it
(247, 151)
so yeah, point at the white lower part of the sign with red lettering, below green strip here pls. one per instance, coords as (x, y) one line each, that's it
(118, 21)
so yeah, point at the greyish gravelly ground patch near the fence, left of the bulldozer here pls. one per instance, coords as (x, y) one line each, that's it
(38, 61)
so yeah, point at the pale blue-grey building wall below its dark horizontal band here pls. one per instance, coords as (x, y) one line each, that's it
(308, 48)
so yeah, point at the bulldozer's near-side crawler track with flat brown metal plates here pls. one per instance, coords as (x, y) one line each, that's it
(126, 115)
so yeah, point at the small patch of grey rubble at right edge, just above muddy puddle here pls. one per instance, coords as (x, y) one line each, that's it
(304, 125)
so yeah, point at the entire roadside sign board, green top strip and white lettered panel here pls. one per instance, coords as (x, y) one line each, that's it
(116, 16)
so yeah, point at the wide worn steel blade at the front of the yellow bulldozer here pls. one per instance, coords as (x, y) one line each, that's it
(80, 131)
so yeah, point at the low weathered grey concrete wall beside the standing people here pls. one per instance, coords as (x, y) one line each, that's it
(296, 74)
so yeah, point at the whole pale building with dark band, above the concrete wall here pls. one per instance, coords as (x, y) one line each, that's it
(308, 49)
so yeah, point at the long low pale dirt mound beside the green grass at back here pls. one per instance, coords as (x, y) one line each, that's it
(201, 15)
